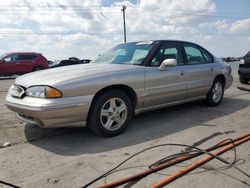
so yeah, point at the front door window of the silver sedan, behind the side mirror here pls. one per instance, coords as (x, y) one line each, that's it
(170, 50)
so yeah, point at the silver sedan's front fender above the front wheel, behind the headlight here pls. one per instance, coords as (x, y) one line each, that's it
(134, 78)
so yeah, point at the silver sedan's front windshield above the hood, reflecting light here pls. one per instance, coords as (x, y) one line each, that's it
(129, 54)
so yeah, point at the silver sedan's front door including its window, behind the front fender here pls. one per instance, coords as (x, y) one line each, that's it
(169, 86)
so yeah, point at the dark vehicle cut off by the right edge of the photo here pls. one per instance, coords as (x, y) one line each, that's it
(244, 69)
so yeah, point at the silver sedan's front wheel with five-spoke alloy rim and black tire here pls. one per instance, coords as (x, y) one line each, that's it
(110, 114)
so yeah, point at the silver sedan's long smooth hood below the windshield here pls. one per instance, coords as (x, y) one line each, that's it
(59, 75)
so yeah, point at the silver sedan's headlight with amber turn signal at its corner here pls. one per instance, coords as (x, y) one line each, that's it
(43, 92)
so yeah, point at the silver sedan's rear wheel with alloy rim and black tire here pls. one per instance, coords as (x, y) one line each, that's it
(215, 95)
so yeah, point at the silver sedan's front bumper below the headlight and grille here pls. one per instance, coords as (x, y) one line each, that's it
(50, 113)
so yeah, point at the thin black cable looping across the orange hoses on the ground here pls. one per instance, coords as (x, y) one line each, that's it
(192, 152)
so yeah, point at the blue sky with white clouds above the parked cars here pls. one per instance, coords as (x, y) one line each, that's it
(64, 28)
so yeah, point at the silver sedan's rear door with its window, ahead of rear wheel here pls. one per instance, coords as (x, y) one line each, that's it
(199, 70)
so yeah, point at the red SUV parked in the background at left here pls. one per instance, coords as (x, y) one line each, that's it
(21, 63)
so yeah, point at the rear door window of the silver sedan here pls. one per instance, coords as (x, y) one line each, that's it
(194, 55)
